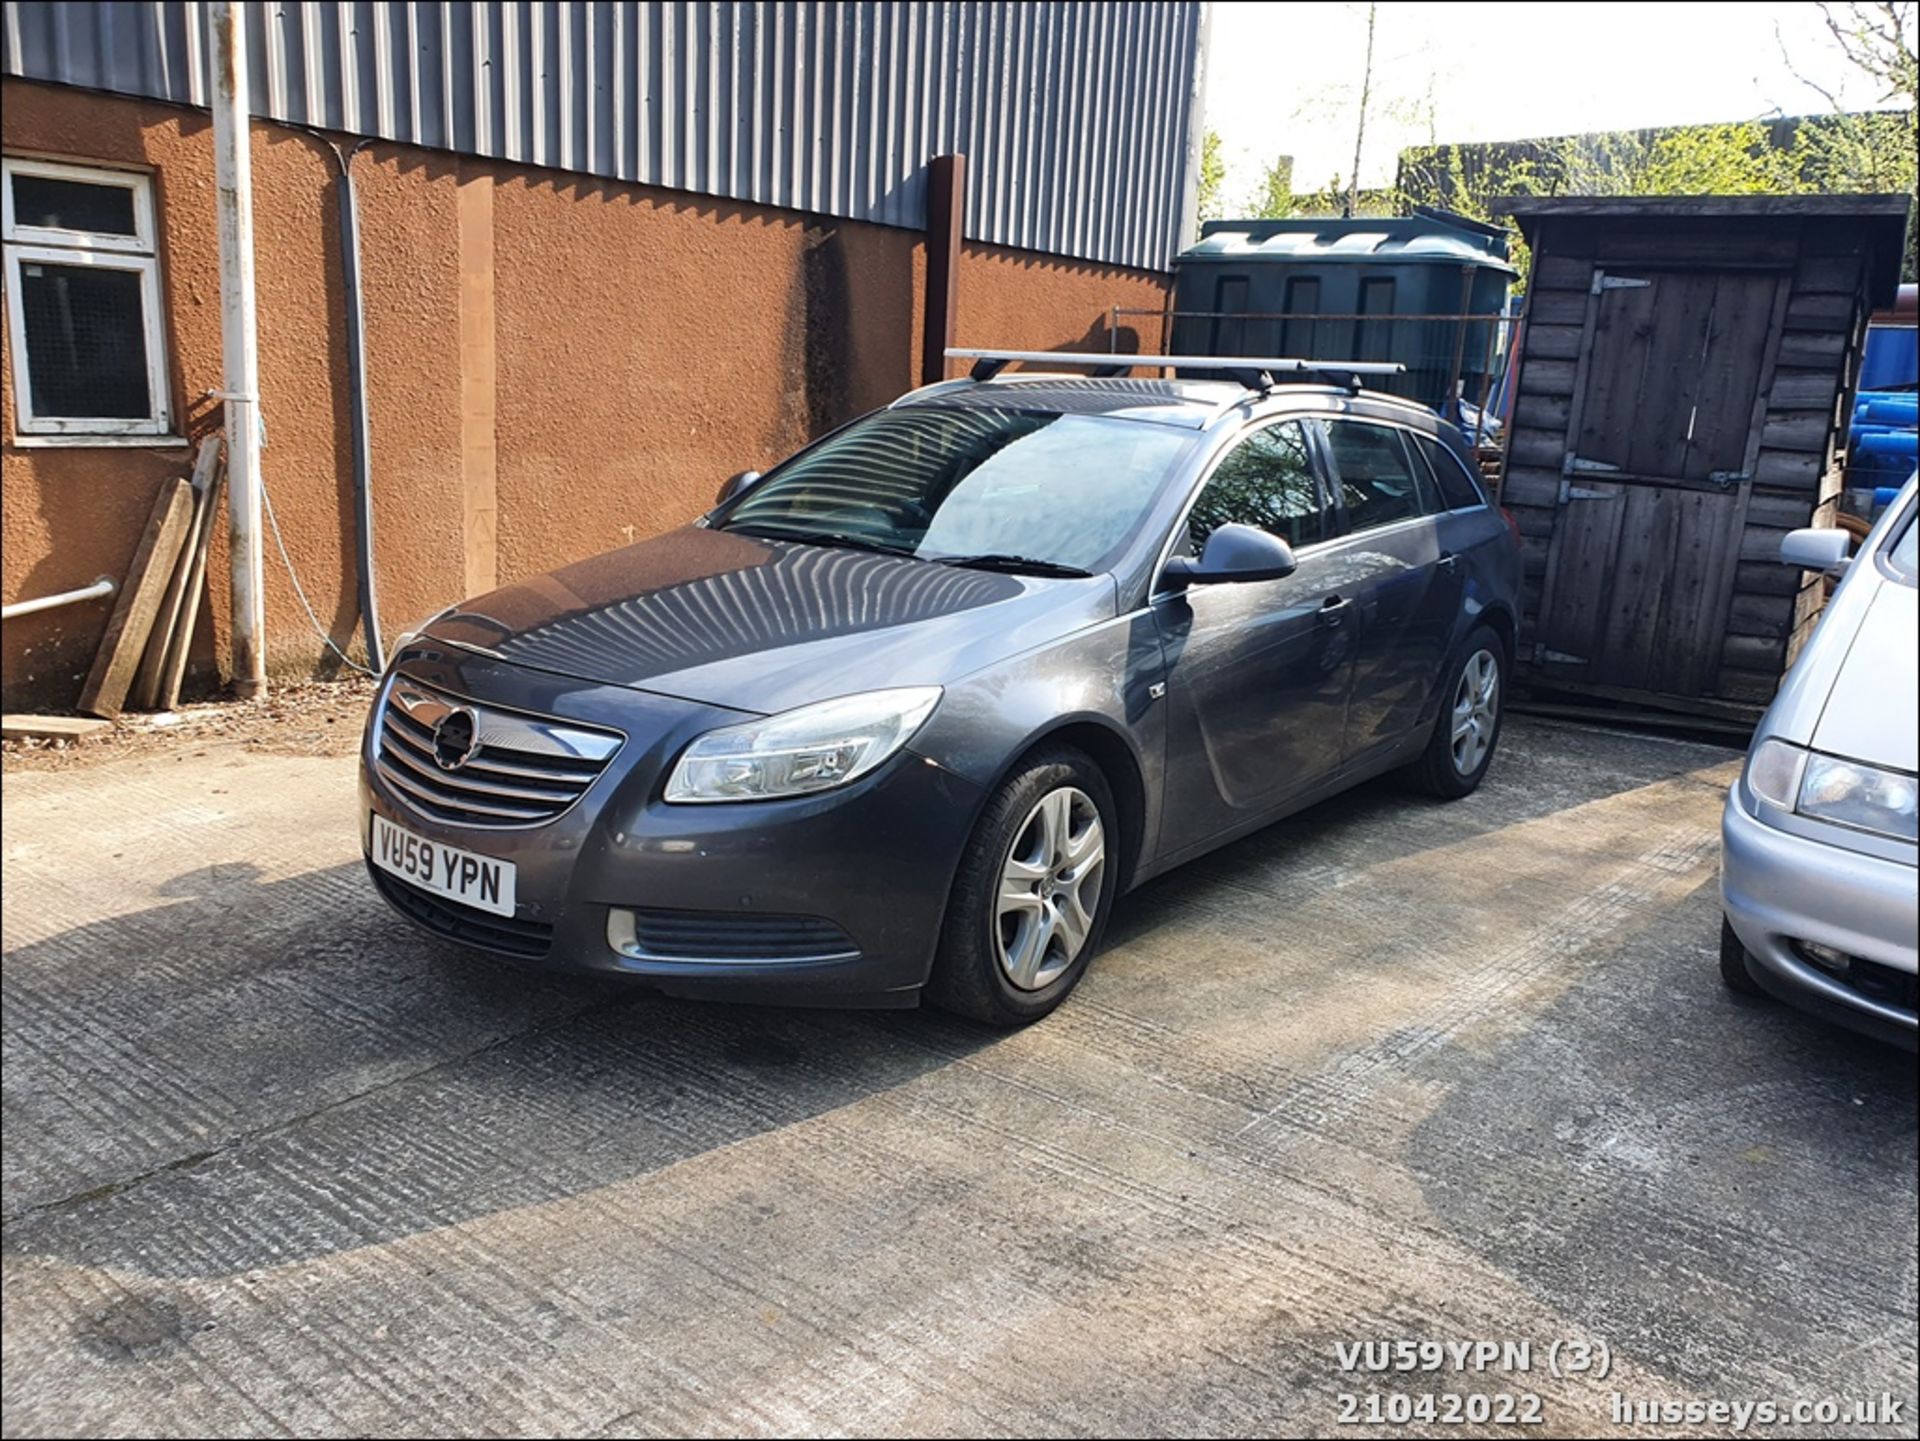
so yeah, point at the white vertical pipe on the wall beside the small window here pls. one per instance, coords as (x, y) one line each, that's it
(233, 199)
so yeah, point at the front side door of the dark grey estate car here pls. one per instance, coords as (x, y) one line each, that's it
(1257, 673)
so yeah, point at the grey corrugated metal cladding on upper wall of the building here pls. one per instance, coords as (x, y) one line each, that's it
(1074, 116)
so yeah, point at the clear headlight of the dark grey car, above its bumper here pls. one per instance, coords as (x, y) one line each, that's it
(802, 751)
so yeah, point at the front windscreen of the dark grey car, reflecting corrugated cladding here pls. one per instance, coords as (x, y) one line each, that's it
(1068, 490)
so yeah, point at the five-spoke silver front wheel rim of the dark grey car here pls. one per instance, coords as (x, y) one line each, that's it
(1049, 889)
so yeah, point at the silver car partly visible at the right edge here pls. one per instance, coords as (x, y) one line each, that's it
(1819, 838)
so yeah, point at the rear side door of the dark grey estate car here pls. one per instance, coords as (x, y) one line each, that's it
(1404, 586)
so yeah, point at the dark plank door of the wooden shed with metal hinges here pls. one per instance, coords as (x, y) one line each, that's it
(1662, 437)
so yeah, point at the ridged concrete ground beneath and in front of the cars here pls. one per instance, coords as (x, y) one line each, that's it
(276, 1164)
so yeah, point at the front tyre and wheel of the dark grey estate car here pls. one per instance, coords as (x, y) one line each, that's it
(1032, 895)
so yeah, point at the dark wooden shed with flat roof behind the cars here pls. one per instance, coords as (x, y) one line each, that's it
(1685, 379)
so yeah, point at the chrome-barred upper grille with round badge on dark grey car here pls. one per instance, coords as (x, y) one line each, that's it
(473, 765)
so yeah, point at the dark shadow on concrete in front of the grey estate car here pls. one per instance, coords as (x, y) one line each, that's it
(174, 1072)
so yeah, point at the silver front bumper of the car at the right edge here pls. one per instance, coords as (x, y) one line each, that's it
(1785, 893)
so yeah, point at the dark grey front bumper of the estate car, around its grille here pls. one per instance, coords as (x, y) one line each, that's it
(848, 887)
